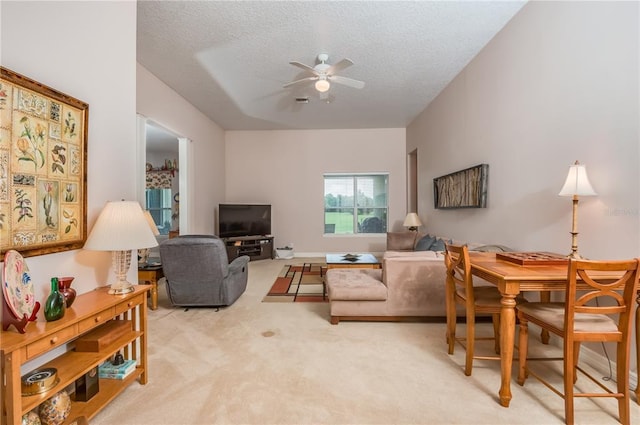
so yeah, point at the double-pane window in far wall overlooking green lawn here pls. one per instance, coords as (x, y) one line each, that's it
(355, 203)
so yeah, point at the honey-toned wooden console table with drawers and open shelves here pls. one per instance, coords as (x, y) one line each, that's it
(88, 312)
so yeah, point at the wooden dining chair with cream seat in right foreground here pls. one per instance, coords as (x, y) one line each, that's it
(601, 313)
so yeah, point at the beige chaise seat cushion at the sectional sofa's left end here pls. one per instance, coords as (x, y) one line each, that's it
(355, 285)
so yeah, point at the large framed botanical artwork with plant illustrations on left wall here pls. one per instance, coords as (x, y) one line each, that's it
(43, 167)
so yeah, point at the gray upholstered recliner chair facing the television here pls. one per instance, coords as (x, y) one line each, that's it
(198, 272)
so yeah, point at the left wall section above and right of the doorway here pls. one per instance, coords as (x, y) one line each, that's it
(158, 102)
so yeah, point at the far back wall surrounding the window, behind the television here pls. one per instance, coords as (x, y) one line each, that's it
(286, 168)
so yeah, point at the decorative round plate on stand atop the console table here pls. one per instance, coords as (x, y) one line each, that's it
(17, 285)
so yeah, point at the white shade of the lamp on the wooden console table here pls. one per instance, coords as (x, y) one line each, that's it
(121, 226)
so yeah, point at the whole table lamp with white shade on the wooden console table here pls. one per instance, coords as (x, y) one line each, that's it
(121, 227)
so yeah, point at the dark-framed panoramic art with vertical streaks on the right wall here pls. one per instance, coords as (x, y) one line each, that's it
(462, 189)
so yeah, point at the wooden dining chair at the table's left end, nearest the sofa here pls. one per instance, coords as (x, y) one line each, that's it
(476, 299)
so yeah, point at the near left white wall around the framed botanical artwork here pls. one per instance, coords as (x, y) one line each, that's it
(75, 48)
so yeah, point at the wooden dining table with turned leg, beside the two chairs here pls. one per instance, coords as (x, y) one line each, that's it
(511, 279)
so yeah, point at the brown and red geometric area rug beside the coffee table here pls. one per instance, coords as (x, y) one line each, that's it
(299, 283)
